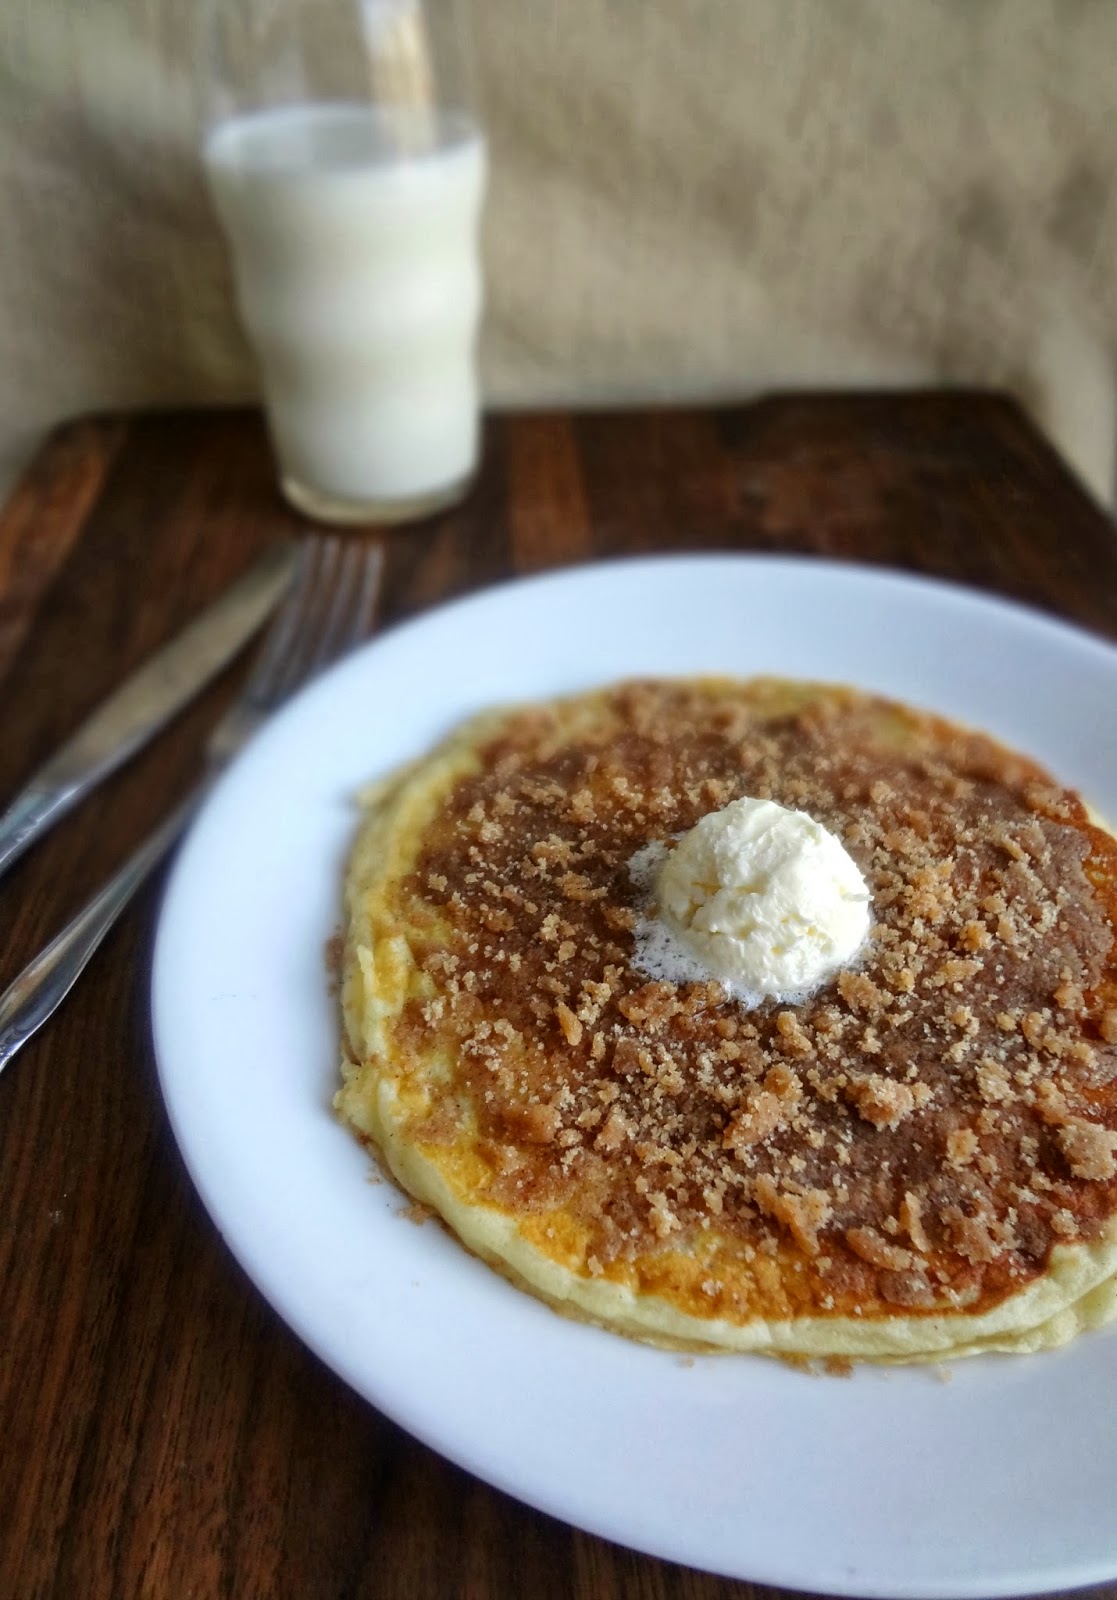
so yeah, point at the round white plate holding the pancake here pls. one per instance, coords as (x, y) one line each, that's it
(887, 1484)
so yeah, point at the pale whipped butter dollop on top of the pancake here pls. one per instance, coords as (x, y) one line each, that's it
(758, 897)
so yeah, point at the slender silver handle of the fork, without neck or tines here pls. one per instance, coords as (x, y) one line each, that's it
(42, 986)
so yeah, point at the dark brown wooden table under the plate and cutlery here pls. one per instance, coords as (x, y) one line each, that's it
(162, 1433)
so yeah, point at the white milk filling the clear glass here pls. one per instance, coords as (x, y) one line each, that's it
(354, 238)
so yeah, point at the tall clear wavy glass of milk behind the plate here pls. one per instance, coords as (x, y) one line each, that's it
(348, 167)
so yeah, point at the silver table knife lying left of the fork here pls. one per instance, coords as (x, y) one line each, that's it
(146, 702)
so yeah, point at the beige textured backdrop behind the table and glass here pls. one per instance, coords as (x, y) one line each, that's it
(691, 198)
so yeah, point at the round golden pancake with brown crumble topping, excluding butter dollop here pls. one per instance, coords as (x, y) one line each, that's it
(916, 1162)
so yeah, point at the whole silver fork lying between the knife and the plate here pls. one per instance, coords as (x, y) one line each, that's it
(330, 607)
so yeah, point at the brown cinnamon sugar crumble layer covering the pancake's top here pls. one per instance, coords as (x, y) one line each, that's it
(921, 1132)
